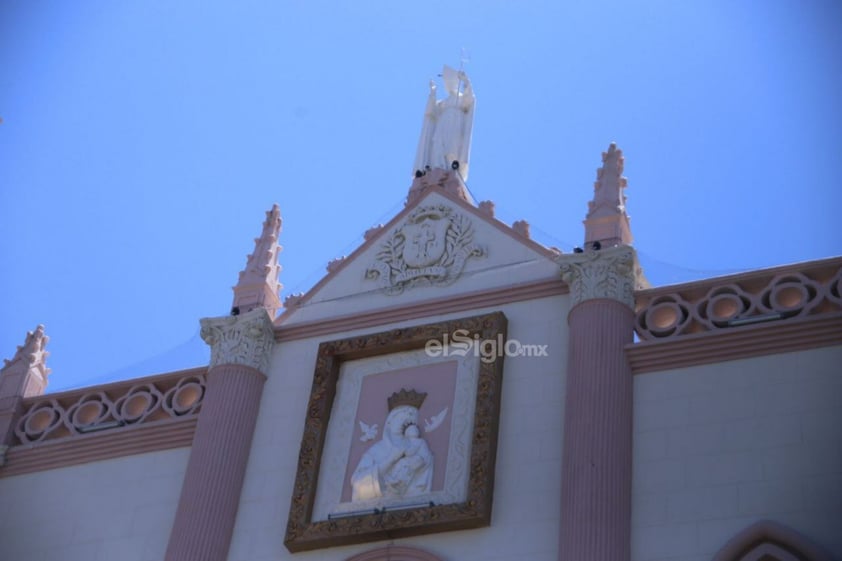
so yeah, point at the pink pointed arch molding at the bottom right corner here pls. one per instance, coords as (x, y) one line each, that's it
(770, 540)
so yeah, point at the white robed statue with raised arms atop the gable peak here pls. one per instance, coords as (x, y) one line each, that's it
(446, 135)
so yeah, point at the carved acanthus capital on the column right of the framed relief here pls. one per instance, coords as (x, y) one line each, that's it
(607, 273)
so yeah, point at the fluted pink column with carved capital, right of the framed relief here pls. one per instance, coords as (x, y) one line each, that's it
(597, 453)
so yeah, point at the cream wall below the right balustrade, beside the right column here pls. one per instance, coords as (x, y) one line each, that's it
(719, 447)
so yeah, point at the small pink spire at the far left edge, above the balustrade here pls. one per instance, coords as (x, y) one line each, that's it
(25, 375)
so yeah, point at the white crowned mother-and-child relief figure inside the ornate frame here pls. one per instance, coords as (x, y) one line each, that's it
(400, 464)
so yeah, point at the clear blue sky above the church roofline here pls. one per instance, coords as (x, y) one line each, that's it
(142, 142)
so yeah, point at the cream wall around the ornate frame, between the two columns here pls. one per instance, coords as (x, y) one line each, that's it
(528, 477)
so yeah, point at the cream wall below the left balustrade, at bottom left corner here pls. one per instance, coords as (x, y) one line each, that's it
(120, 509)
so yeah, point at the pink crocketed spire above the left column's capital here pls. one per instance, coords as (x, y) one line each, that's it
(258, 285)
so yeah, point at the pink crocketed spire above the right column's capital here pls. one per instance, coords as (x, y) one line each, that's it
(607, 221)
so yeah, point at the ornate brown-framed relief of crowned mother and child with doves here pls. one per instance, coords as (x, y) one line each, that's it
(395, 422)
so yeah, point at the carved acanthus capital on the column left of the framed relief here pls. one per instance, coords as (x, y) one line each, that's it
(245, 339)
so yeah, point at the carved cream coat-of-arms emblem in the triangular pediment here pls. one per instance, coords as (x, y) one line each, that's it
(431, 247)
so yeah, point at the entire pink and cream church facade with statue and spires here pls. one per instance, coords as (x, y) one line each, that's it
(454, 391)
